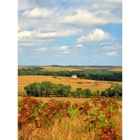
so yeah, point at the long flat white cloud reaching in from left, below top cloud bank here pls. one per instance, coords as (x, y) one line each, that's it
(36, 37)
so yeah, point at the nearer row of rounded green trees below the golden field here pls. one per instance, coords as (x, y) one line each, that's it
(47, 89)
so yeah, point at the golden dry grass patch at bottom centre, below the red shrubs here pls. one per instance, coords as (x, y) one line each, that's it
(65, 130)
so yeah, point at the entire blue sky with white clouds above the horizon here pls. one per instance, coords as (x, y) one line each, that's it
(70, 32)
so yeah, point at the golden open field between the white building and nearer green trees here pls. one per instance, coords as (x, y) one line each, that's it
(74, 83)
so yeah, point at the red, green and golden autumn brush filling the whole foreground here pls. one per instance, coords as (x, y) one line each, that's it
(96, 119)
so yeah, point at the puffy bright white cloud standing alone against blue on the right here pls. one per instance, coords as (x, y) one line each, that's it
(95, 35)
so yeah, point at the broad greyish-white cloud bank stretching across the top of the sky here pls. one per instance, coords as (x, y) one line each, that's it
(73, 15)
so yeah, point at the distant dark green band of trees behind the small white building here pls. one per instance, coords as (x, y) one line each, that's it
(105, 75)
